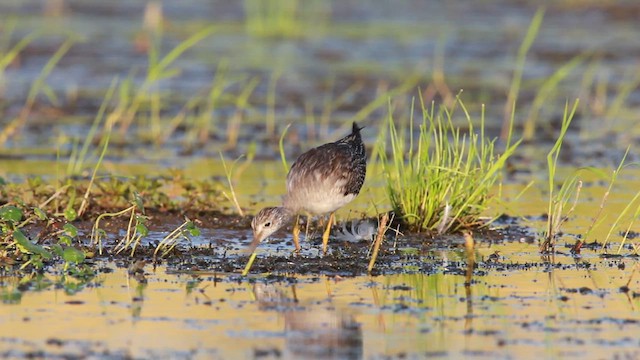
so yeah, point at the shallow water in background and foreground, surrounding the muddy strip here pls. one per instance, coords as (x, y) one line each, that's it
(521, 305)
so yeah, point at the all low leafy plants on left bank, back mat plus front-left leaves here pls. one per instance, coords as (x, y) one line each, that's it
(36, 218)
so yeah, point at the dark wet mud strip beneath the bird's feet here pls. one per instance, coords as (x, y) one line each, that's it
(220, 248)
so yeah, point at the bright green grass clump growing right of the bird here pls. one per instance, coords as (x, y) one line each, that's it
(442, 181)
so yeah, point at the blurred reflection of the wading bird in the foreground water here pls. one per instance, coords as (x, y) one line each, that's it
(314, 330)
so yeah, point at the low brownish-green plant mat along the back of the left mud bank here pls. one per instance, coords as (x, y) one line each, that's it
(113, 193)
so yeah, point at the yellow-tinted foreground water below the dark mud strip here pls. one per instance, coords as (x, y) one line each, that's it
(549, 312)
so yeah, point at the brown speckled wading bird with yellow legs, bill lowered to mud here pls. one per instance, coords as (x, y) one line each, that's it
(320, 181)
